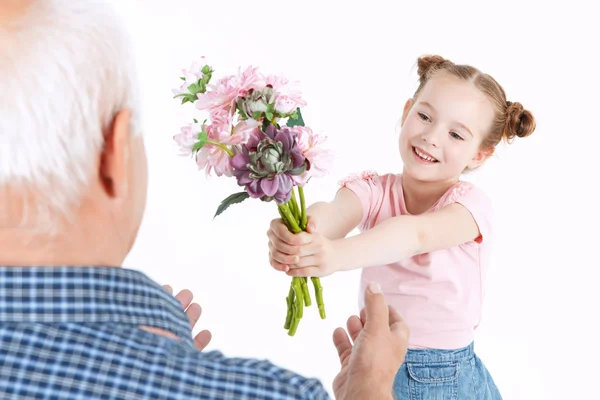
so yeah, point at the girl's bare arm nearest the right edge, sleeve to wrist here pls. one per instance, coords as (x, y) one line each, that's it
(405, 236)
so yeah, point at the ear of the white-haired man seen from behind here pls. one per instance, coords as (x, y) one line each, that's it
(114, 162)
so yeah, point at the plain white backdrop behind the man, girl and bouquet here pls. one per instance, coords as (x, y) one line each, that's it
(356, 62)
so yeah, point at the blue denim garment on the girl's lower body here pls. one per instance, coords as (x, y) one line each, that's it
(444, 375)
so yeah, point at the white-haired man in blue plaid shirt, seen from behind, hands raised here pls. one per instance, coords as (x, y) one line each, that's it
(73, 322)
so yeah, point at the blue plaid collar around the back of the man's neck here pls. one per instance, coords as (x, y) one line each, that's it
(89, 295)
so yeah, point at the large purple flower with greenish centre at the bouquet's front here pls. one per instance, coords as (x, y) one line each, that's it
(267, 162)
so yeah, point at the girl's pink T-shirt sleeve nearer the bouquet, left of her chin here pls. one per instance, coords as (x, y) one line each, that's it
(368, 186)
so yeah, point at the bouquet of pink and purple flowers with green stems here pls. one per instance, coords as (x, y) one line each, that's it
(244, 137)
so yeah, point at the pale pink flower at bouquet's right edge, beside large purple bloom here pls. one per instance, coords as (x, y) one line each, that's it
(320, 160)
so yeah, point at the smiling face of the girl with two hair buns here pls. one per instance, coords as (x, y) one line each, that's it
(442, 129)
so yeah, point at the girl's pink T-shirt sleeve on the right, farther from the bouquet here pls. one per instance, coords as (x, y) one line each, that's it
(478, 204)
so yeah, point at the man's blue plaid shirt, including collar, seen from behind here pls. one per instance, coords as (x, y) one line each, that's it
(72, 333)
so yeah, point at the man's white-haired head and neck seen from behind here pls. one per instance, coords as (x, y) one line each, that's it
(72, 160)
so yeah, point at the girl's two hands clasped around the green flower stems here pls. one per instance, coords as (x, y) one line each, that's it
(308, 254)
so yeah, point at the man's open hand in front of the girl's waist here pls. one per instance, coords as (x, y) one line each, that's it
(380, 338)
